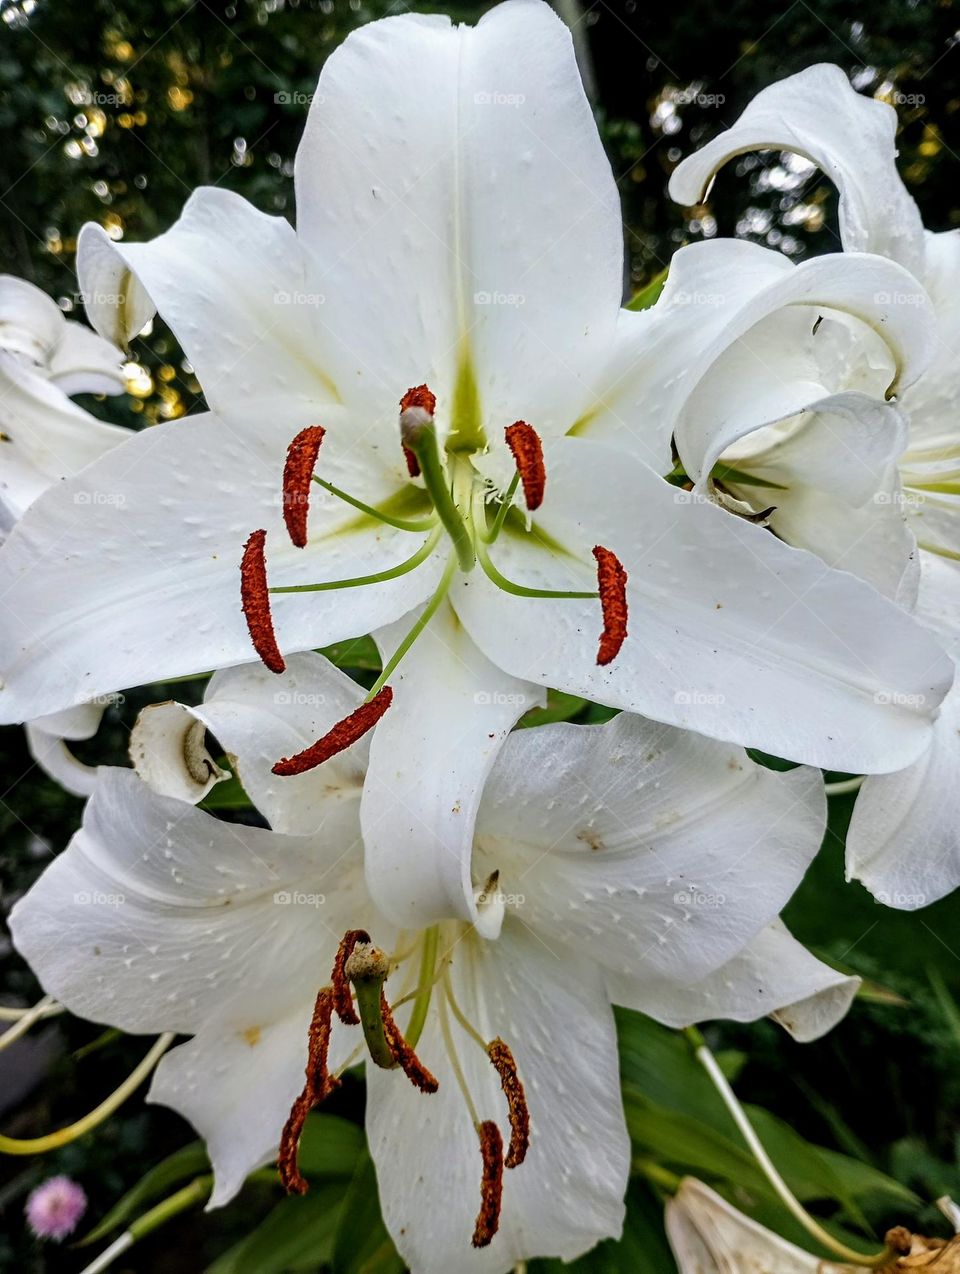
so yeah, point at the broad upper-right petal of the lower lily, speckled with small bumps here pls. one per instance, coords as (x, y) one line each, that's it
(653, 850)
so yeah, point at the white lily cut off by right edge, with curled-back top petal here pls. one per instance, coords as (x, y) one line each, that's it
(905, 839)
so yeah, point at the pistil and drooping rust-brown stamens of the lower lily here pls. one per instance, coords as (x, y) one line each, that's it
(356, 996)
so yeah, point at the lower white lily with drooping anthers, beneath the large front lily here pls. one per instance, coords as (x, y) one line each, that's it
(628, 862)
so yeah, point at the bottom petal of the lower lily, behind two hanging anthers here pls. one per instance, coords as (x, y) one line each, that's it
(568, 1193)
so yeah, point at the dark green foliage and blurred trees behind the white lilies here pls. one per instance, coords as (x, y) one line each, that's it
(115, 113)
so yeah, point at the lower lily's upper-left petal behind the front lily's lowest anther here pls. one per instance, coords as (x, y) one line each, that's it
(260, 718)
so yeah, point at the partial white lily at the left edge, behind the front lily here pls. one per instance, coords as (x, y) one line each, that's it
(45, 359)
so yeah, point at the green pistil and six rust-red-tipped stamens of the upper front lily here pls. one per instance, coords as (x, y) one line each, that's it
(468, 510)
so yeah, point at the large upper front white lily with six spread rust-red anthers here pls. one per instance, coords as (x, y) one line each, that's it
(467, 244)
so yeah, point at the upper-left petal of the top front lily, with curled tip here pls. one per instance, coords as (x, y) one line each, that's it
(231, 282)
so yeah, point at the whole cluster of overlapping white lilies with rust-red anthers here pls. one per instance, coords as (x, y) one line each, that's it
(730, 518)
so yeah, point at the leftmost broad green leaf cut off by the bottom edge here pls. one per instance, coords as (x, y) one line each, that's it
(297, 1235)
